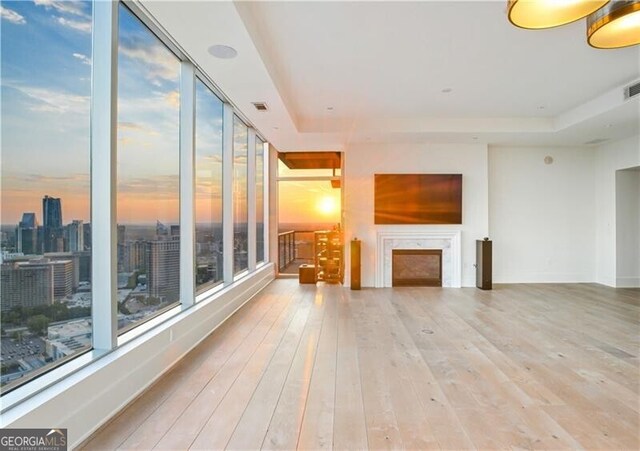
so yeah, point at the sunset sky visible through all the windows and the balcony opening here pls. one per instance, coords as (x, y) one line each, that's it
(46, 86)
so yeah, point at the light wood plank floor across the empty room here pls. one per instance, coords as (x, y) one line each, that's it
(519, 367)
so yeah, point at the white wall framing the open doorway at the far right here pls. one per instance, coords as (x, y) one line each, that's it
(622, 154)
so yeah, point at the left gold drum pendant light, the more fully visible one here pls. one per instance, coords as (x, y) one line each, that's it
(537, 14)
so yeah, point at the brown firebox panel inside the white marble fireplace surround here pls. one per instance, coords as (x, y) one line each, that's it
(416, 268)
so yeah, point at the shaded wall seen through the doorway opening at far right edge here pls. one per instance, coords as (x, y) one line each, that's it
(628, 228)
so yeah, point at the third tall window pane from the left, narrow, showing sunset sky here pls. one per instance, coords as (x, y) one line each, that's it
(208, 194)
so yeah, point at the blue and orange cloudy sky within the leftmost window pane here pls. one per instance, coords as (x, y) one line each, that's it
(46, 50)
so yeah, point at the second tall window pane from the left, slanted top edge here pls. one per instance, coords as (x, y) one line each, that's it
(148, 173)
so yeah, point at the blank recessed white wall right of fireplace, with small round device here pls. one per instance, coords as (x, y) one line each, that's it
(542, 216)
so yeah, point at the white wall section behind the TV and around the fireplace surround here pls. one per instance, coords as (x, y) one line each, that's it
(362, 161)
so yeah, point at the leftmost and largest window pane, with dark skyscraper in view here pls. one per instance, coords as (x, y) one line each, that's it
(45, 291)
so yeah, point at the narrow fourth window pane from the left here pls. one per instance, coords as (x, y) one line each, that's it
(240, 187)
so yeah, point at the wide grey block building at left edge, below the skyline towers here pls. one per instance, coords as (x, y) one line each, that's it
(25, 285)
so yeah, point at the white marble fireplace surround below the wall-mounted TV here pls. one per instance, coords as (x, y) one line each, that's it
(447, 240)
